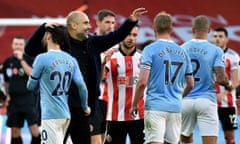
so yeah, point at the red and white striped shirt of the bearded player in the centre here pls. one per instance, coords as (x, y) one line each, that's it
(119, 89)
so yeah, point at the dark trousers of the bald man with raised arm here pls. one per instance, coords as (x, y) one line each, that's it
(79, 129)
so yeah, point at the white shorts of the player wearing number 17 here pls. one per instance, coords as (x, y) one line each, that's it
(162, 126)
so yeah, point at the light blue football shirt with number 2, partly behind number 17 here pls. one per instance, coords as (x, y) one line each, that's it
(204, 57)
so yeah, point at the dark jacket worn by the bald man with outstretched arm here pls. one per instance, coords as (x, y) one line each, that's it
(87, 53)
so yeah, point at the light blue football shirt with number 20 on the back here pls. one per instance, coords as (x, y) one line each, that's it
(53, 71)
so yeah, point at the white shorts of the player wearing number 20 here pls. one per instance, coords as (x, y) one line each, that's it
(54, 130)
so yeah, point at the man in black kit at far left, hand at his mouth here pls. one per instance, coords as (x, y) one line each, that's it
(22, 102)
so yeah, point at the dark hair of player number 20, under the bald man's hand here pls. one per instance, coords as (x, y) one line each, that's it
(59, 34)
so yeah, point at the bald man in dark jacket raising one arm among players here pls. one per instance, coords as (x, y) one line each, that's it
(86, 49)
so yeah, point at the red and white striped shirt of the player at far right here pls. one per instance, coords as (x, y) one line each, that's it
(231, 63)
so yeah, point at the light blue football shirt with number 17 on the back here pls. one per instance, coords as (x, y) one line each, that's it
(169, 65)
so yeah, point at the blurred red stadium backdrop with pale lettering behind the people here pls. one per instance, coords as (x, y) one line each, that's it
(22, 17)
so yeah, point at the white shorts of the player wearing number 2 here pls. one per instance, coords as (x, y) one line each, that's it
(201, 111)
